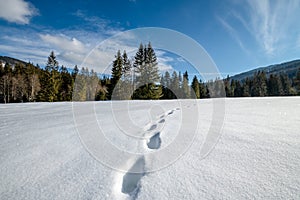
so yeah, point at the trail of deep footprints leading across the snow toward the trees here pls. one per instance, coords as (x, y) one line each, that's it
(131, 180)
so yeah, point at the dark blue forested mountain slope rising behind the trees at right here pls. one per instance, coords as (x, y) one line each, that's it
(289, 68)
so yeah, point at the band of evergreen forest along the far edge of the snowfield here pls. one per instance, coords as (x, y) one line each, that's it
(137, 79)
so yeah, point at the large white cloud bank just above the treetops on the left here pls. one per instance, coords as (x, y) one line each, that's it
(97, 55)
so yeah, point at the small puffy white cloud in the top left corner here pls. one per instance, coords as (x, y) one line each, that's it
(18, 11)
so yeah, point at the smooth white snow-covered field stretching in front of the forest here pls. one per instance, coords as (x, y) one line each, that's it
(87, 150)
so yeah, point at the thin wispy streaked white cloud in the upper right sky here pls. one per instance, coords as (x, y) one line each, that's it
(270, 22)
